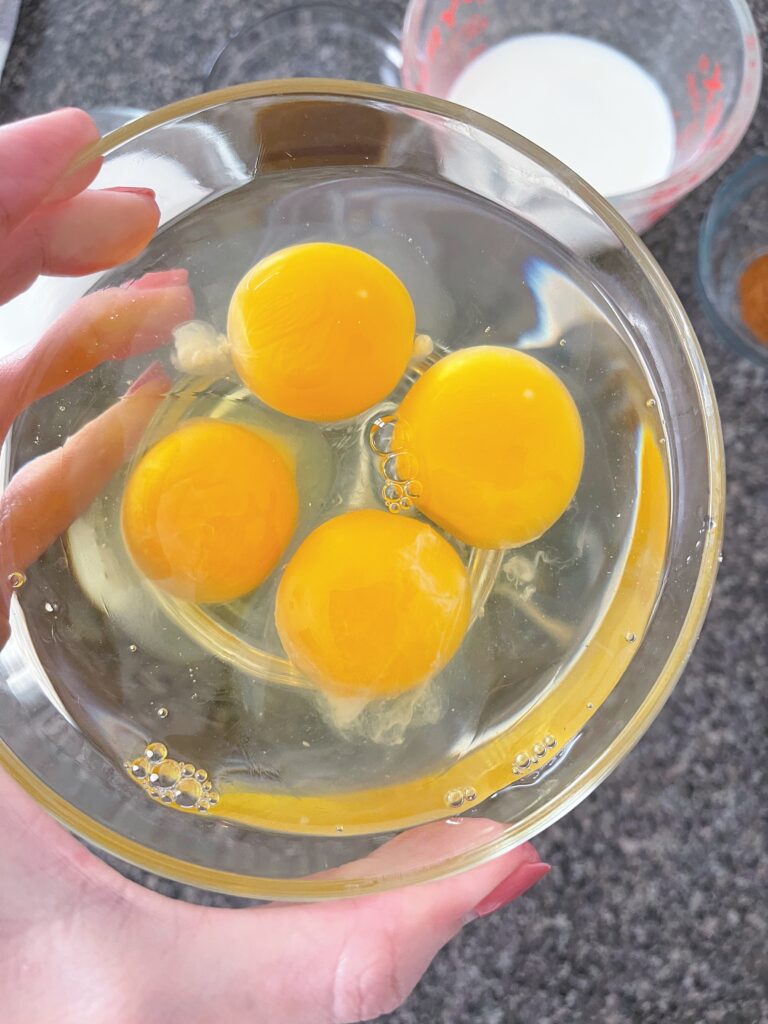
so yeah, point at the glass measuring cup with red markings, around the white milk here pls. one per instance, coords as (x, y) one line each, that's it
(706, 58)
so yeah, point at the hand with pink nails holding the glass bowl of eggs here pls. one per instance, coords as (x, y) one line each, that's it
(78, 943)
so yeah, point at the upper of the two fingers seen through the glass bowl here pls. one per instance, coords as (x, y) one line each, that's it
(114, 324)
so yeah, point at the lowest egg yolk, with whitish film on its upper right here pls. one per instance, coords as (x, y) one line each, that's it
(372, 605)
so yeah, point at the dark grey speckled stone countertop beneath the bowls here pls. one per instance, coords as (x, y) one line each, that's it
(656, 911)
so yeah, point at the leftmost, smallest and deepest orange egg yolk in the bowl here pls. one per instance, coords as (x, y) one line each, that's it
(209, 510)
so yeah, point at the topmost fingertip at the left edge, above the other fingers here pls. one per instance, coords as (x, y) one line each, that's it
(35, 156)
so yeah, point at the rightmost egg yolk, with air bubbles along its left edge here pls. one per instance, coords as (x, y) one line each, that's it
(492, 442)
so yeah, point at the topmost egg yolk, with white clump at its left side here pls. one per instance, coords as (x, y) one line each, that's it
(321, 331)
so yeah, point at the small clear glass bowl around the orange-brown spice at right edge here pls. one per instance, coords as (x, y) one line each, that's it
(734, 234)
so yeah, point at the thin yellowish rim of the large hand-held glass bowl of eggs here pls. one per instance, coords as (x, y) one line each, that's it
(513, 835)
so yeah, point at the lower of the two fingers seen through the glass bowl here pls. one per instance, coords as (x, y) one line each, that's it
(52, 492)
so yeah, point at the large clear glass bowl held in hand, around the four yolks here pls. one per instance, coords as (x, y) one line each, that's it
(244, 172)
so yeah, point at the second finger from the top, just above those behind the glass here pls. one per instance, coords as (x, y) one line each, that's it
(92, 232)
